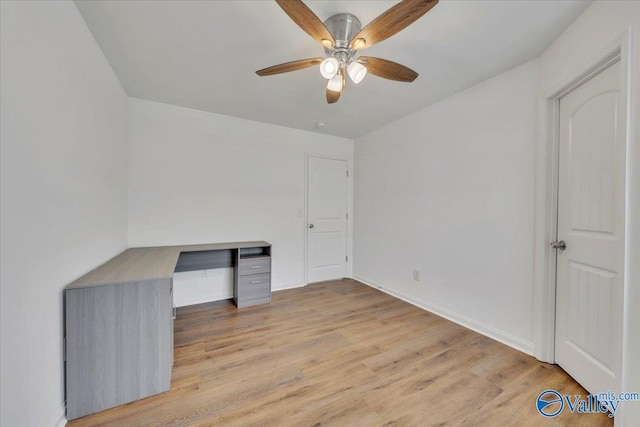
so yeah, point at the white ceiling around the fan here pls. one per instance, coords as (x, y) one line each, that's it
(204, 54)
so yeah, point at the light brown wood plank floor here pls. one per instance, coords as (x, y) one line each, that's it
(343, 354)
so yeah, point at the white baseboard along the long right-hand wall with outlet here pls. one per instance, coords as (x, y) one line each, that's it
(479, 327)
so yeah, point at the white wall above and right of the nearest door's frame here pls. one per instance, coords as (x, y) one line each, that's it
(571, 53)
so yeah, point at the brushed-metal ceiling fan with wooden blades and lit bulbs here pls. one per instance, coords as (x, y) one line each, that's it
(343, 38)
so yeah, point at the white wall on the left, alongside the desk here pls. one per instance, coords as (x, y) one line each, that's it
(64, 200)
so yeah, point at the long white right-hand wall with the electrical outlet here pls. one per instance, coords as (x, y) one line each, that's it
(448, 190)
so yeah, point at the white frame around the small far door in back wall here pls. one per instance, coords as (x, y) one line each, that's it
(349, 231)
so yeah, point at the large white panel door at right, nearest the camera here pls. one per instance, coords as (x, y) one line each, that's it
(589, 288)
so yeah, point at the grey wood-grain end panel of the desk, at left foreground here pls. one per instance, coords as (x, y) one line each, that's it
(119, 344)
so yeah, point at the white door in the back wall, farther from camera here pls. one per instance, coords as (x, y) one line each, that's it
(326, 219)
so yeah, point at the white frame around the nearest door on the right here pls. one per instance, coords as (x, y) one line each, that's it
(546, 190)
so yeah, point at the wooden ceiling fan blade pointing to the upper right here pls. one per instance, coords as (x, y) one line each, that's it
(391, 21)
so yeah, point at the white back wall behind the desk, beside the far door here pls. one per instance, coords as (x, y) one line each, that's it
(197, 177)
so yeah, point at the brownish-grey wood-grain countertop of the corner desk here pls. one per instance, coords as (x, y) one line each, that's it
(156, 262)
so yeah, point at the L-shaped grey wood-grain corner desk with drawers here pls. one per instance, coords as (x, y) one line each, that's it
(119, 318)
